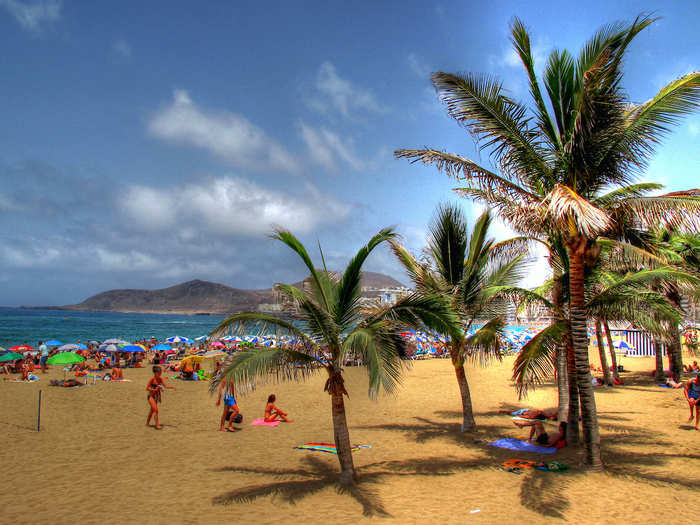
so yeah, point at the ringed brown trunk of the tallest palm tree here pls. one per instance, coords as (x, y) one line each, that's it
(589, 417)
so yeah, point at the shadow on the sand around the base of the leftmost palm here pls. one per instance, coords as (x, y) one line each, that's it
(292, 485)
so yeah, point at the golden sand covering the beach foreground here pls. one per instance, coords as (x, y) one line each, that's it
(95, 461)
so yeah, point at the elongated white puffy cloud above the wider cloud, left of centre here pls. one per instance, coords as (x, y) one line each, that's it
(229, 136)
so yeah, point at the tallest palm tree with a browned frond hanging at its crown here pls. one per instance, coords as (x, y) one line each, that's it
(553, 164)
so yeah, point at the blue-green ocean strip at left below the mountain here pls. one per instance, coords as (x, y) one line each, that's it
(30, 326)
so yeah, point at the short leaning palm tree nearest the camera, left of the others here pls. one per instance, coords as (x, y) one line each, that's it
(332, 327)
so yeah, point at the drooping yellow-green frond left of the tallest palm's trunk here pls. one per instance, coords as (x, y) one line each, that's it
(536, 360)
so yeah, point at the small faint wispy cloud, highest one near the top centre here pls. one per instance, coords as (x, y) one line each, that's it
(332, 92)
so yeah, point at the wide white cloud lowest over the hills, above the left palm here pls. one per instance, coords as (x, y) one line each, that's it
(229, 206)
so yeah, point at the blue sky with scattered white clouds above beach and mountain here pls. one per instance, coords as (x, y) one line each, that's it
(144, 144)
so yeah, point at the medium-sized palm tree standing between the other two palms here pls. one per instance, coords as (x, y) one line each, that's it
(461, 267)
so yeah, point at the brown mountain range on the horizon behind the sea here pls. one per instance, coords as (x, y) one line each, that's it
(196, 297)
